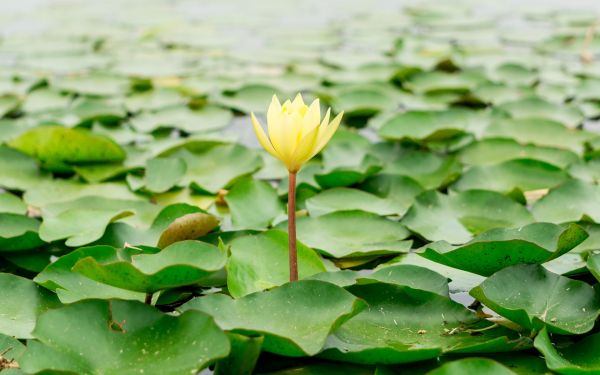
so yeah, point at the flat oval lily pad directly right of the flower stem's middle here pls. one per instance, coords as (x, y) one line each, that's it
(345, 234)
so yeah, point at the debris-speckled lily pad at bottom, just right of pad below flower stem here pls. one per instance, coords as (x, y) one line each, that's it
(404, 325)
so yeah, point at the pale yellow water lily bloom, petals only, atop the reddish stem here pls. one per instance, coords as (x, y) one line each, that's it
(296, 132)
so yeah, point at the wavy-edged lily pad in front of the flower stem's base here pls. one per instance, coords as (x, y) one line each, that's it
(295, 318)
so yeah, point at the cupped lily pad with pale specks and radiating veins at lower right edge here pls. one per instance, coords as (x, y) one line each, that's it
(535, 298)
